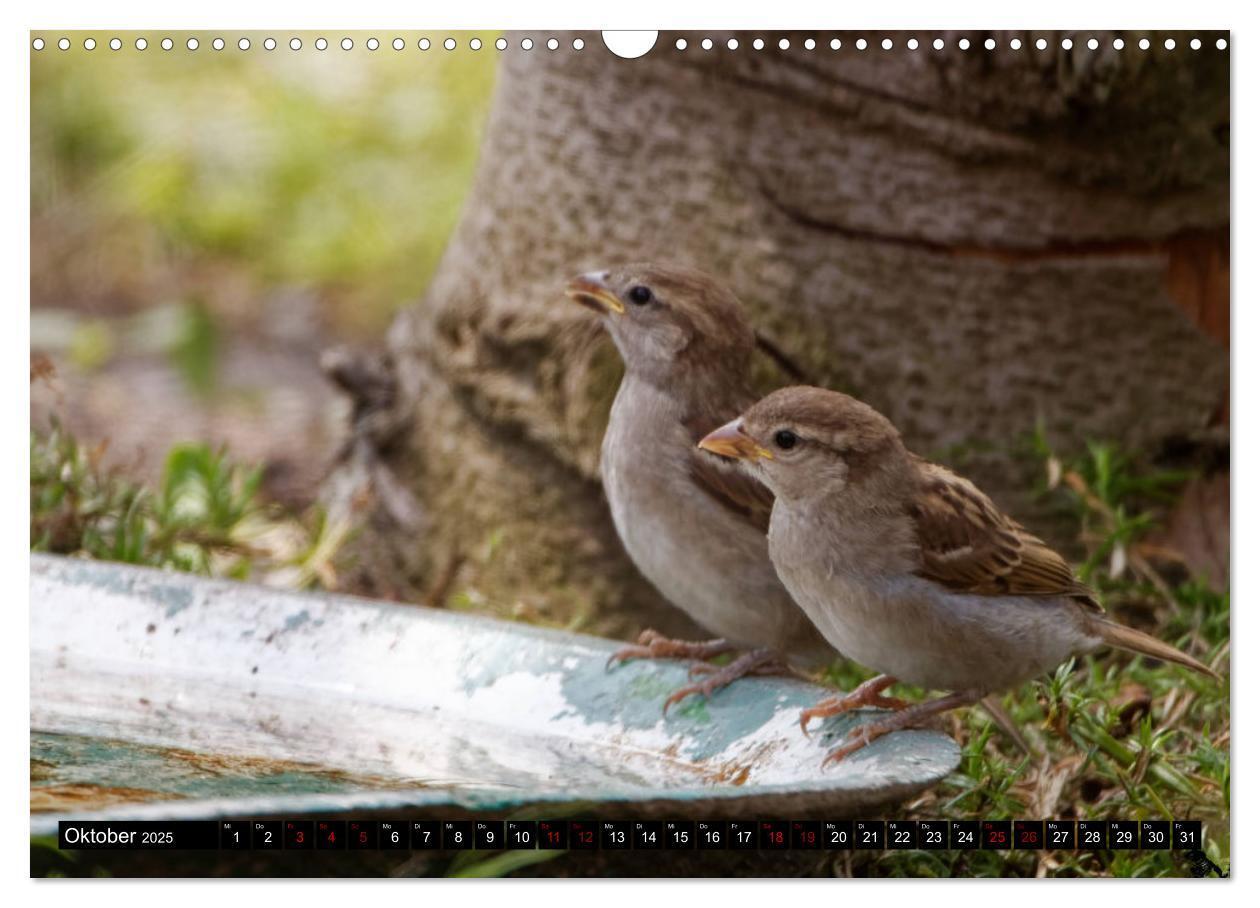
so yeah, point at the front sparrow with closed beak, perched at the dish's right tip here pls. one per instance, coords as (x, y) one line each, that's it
(907, 567)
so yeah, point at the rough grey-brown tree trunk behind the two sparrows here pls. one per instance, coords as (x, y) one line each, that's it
(970, 241)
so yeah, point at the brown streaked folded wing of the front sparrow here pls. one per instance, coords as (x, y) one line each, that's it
(970, 546)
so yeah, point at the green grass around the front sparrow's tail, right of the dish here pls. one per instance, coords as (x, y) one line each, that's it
(1114, 736)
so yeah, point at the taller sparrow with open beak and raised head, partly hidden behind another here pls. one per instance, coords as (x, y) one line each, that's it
(694, 523)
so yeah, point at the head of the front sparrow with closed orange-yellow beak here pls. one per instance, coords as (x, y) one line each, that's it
(805, 443)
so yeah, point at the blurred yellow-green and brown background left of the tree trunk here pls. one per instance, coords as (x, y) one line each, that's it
(205, 224)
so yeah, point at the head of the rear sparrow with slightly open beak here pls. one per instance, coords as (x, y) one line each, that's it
(667, 322)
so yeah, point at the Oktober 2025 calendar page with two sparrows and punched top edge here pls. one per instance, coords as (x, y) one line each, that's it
(576, 454)
